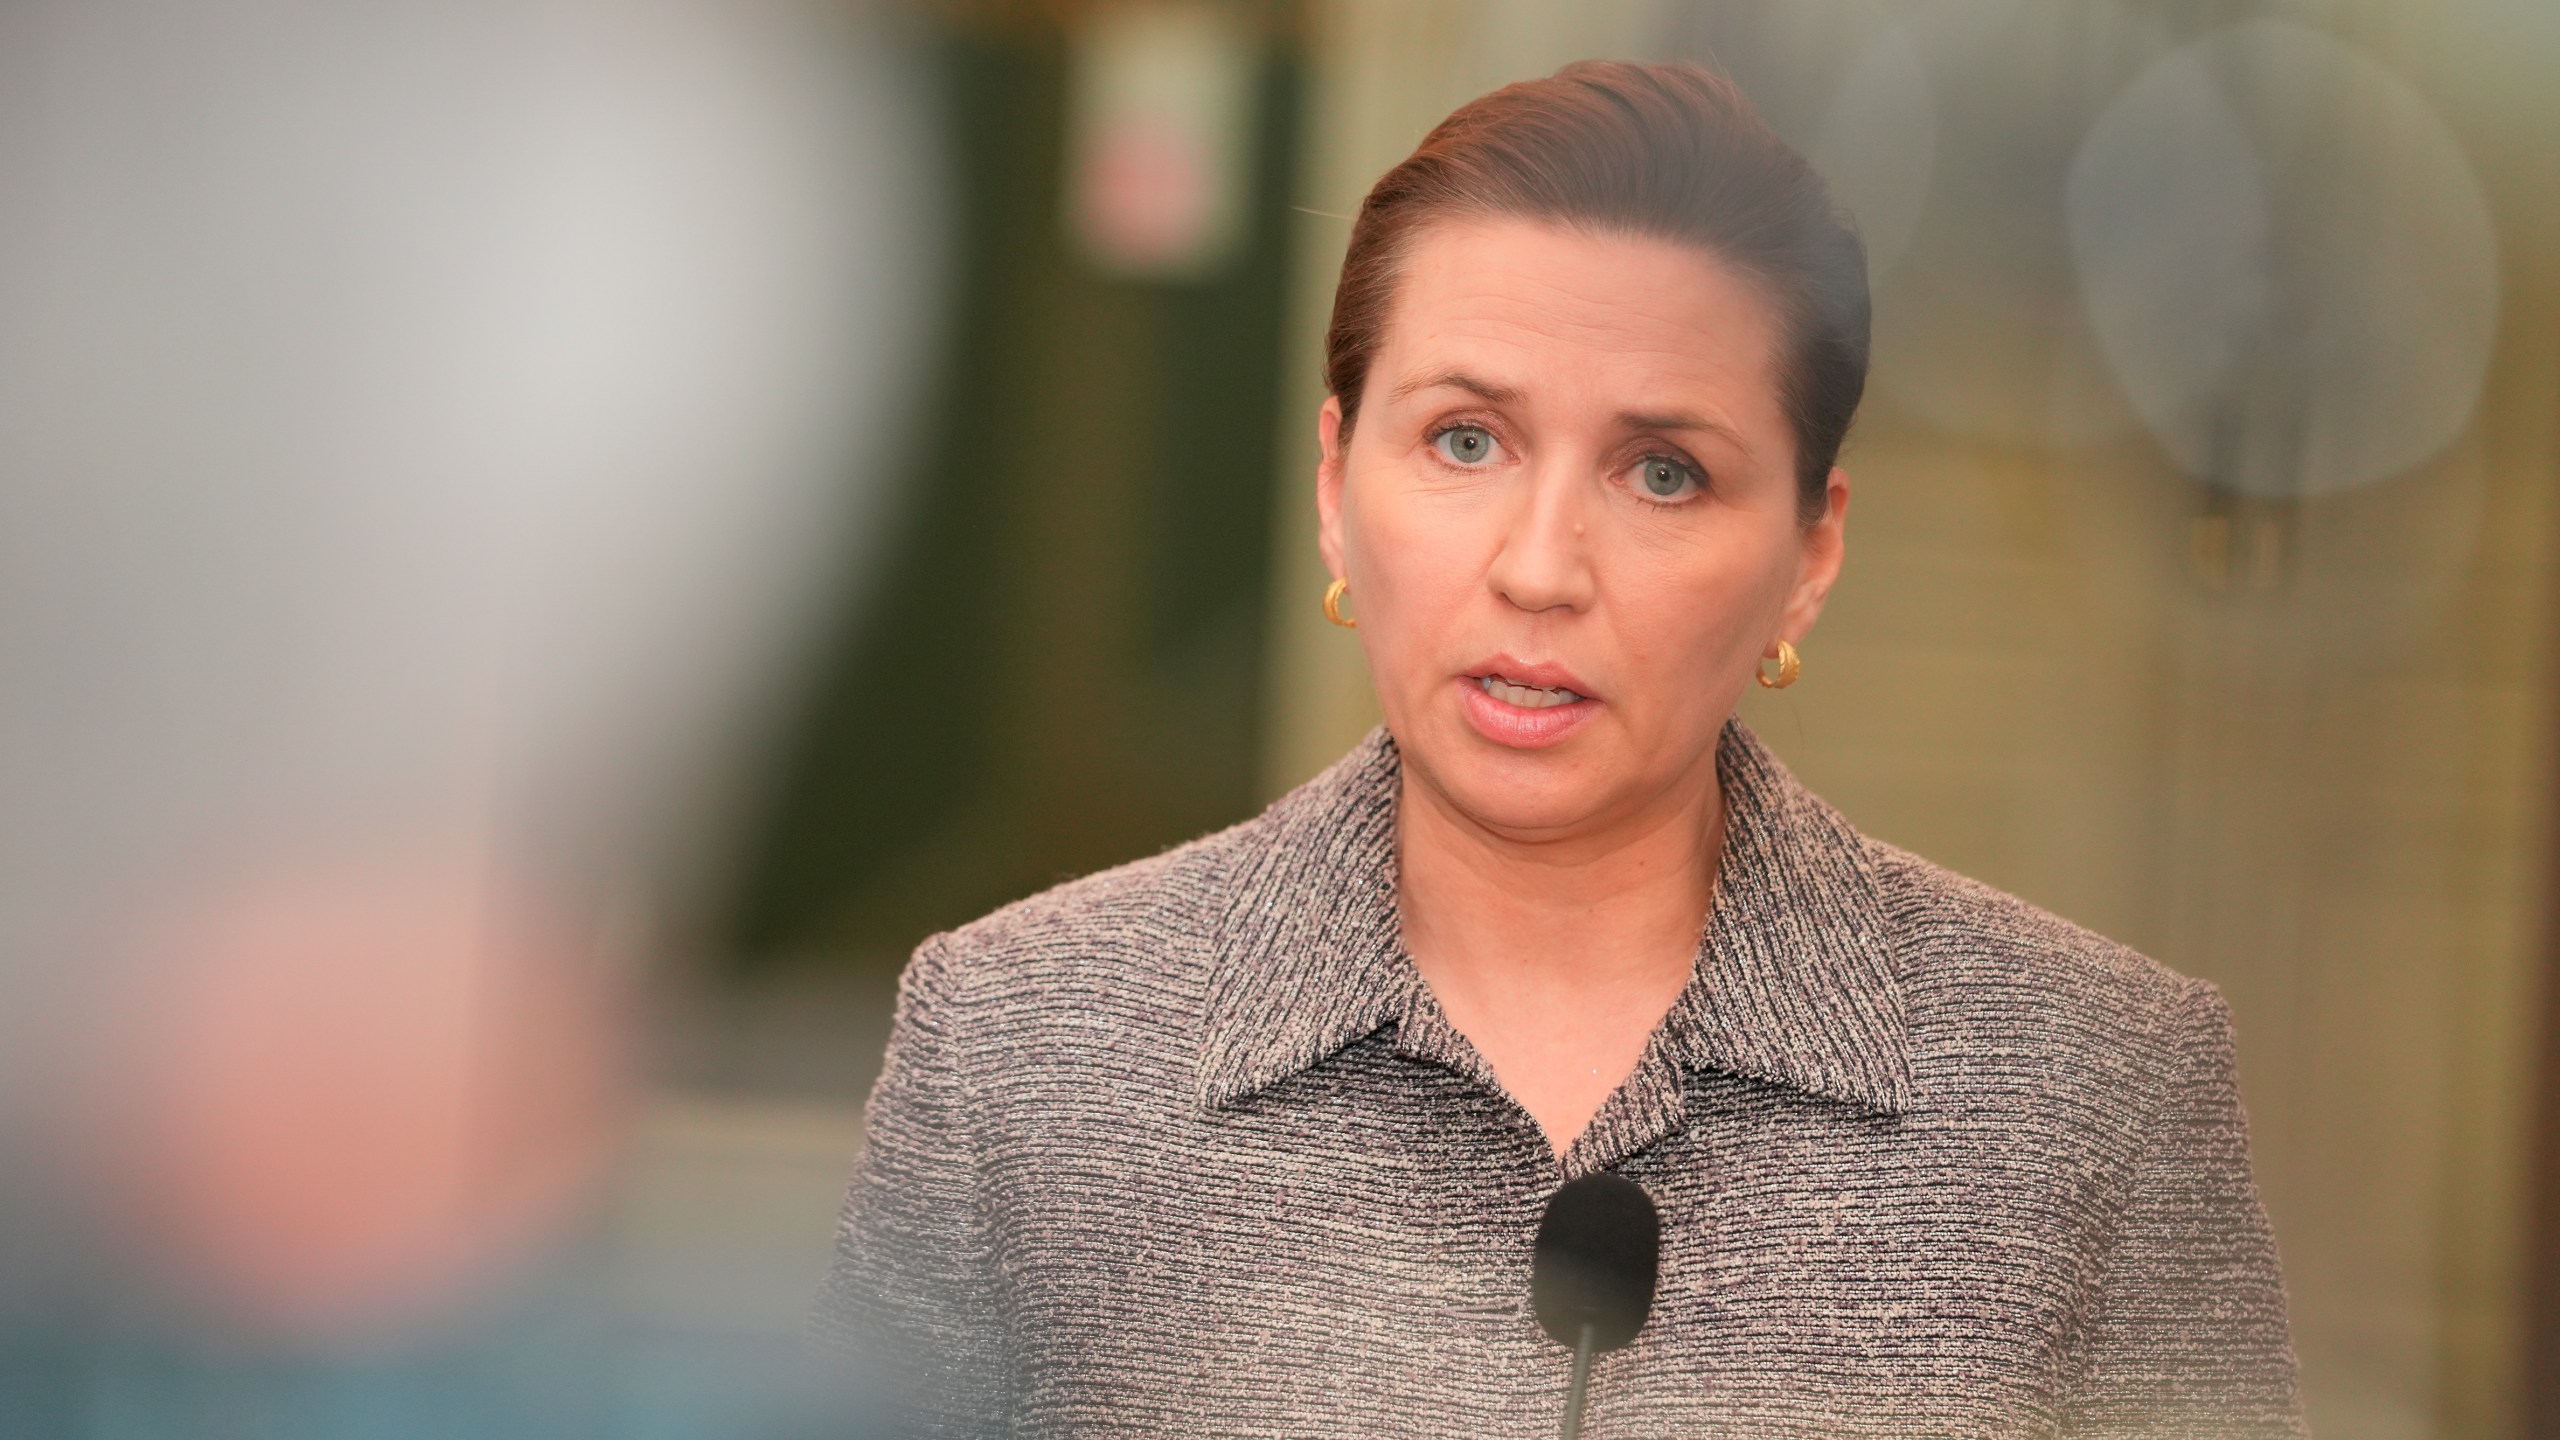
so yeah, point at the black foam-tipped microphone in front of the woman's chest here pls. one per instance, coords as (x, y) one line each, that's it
(1594, 1275)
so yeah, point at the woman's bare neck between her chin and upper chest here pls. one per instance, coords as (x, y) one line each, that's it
(1612, 908)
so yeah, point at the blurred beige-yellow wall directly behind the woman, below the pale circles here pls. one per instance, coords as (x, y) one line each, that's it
(2326, 796)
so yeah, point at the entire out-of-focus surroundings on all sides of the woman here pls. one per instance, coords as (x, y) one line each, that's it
(547, 544)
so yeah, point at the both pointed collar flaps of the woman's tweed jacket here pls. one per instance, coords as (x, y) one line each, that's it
(1796, 975)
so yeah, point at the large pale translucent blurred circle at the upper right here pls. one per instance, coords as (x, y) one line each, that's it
(2287, 263)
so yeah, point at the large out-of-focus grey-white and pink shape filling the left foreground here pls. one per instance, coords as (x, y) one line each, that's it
(424, 429)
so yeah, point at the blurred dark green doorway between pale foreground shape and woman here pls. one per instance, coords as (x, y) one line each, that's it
(1061, 665)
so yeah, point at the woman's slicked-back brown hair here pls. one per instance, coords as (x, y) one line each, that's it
(1650, 150)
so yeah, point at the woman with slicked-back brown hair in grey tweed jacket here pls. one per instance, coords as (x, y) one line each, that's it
(1256, 1136)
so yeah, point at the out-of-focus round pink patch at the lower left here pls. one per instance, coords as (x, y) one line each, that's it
(352, 1093)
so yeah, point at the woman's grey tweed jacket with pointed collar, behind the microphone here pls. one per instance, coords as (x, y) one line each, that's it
(1189, 1149)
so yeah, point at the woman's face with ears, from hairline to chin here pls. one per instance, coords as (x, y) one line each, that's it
(1571, 519)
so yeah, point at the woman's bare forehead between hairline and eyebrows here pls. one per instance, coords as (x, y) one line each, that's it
(1571, 311)
